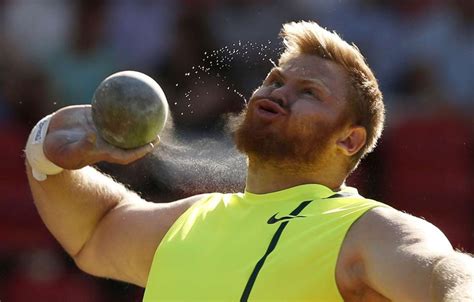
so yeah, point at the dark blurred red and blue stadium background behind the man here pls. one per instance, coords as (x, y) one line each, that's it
(208, 56)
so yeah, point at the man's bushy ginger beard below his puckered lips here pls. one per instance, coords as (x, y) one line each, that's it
(298, 142)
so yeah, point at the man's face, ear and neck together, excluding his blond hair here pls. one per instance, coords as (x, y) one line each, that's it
(303, 100)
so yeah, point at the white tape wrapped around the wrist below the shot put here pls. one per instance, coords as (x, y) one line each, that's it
(40, 165)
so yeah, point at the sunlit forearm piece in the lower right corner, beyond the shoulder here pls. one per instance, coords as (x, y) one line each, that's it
(453, 279)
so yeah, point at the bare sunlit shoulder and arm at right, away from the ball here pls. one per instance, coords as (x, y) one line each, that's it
(405, 258)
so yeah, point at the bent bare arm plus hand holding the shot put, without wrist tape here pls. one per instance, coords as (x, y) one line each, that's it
(107, 229)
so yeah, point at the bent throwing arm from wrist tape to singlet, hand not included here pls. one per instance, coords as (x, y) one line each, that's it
(108, 230)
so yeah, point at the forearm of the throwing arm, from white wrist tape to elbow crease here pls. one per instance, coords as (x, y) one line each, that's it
(73, 203)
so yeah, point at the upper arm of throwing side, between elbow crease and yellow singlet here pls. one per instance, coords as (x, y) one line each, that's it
(124, 243)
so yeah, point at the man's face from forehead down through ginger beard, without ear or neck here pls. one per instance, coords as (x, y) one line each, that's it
(294, 116)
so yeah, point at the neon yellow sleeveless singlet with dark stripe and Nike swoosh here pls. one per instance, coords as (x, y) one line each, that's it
(281, 246)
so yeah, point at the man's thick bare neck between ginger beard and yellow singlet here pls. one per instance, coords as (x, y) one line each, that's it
(267, 177)
